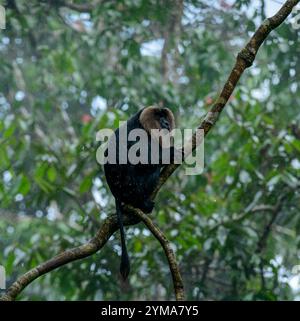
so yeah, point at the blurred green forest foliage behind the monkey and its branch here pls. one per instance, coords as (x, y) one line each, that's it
(69, 69)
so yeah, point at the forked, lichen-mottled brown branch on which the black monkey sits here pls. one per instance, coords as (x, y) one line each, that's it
(109, 226)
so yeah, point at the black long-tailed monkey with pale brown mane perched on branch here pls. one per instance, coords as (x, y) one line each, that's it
(134, 184)
